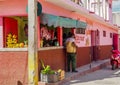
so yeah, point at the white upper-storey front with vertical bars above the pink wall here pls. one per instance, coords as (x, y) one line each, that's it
(101, 8)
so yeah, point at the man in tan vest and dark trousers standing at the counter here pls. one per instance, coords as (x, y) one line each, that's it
(71, 52)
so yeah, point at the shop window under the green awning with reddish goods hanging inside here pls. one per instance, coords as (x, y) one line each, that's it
(48, 36)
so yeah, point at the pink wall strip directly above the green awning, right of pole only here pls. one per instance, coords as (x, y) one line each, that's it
(55, 10)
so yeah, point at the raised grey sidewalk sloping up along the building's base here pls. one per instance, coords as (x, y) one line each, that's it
(81, 71)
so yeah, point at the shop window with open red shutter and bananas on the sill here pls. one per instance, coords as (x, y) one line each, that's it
(15, 32)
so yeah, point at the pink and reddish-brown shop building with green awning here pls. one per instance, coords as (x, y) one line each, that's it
(94, 35)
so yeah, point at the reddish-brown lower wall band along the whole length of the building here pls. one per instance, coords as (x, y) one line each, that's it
(13, 65)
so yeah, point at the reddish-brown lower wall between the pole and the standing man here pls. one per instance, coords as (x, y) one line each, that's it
(55, 58)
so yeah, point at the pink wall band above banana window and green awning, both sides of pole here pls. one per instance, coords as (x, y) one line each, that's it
(8, 8)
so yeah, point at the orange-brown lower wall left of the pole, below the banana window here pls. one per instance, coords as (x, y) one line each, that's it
(13, 68)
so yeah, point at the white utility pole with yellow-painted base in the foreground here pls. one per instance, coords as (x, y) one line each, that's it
(32, 43)
